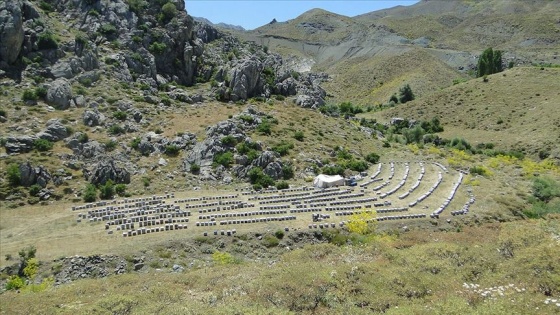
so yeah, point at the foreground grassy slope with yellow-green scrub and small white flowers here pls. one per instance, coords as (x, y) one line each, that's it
(416, 272)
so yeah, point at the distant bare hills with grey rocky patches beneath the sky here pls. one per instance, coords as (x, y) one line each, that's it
(426, 45)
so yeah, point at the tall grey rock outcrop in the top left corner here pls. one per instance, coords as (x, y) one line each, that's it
(11, 30)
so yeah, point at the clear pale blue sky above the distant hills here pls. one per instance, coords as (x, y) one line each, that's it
(254, 13)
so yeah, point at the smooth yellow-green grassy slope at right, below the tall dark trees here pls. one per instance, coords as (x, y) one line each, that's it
(523, 99)
